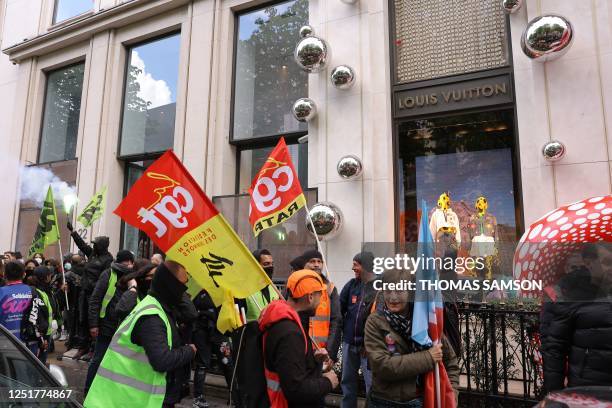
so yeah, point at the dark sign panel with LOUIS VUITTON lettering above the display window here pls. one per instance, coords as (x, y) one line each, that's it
(449, 97)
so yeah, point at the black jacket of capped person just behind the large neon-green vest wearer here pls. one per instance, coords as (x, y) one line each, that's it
(109, 323)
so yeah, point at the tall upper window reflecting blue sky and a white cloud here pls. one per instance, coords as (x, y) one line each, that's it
(149, 103)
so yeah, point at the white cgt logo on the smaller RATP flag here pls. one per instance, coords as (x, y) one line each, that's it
(281, 180)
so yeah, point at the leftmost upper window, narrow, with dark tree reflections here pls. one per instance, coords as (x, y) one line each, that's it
(60, 125)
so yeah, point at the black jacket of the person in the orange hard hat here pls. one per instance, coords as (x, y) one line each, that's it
(300, 376)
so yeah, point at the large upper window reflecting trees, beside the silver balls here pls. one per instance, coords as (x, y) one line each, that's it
(266, 79)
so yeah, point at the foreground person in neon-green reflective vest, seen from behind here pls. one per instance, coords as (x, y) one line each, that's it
(150, 338)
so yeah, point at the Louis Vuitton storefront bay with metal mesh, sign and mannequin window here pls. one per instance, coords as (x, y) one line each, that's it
(454, 120)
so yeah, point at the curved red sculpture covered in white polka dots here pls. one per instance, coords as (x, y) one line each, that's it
(543, 250)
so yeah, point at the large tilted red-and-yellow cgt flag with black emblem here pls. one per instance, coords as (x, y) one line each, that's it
(171, 208)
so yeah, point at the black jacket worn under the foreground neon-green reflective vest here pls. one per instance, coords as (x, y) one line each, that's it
(150, 333)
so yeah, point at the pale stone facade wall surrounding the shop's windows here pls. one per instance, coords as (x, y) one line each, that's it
(569, 99)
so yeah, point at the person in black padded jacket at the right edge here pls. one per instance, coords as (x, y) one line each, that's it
(576, 324)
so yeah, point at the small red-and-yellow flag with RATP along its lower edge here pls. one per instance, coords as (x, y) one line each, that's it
(276, 194)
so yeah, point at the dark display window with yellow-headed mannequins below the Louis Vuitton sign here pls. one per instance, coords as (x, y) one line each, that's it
(468, 156)
